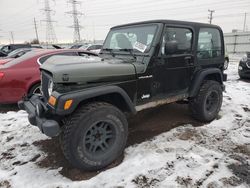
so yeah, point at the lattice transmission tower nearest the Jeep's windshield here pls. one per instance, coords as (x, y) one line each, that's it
(76, 25)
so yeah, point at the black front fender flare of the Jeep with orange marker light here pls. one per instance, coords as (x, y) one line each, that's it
(79, 96)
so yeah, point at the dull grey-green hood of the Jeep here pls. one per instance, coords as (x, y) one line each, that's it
(83, 69)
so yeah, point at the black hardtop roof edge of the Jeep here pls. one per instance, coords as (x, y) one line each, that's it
(176, 22)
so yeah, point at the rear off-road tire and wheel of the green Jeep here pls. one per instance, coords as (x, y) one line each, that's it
(201, 106)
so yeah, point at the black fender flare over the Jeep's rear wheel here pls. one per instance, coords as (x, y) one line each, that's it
(199, 78)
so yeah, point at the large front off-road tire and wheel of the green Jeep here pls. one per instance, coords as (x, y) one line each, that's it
(89, 126)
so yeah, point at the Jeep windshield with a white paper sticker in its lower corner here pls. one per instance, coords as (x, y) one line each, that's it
(136, 38)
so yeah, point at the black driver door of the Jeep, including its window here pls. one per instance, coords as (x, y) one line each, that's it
(173, 69)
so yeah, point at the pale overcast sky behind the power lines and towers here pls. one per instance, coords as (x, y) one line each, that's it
(99, 15)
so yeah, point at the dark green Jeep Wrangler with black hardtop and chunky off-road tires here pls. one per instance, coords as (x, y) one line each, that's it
(85, 100)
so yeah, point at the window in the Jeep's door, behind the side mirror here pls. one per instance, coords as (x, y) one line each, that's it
(176, 41)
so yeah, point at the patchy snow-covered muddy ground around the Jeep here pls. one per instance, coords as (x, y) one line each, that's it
(214, 155)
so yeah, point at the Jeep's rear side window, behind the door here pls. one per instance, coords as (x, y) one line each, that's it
(209, 43)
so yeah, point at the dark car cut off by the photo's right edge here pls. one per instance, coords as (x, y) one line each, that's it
(244, 66)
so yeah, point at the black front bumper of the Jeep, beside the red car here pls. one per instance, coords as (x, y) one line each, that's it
(36, 109)
